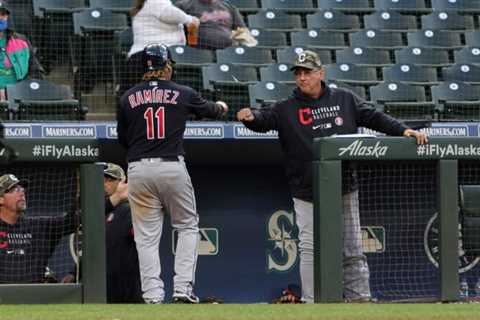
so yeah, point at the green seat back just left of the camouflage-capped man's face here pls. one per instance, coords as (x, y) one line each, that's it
(264, 93)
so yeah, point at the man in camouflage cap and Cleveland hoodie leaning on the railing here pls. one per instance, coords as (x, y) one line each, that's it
(315, 110)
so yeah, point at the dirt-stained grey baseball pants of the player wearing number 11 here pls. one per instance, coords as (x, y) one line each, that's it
(154, 188)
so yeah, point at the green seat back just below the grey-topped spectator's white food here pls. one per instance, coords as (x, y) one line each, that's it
(244, 56)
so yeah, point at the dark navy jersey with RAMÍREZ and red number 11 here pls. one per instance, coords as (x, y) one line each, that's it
(152, 118)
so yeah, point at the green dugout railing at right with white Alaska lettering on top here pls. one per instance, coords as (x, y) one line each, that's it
(445, 158)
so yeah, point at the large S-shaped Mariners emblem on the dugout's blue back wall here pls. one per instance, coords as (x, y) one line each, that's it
(281, 229)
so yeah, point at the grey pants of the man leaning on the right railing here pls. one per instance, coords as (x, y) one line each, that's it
(355, 267)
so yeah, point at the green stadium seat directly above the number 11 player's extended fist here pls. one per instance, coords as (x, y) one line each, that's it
(229, 83)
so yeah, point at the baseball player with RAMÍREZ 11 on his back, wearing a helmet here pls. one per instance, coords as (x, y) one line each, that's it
(151, 122)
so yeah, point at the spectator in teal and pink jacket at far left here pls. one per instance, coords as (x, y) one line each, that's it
(17, 56)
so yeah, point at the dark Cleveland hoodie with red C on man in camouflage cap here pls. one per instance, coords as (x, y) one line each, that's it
(300, 118)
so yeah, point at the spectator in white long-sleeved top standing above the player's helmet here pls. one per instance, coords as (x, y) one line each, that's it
(153, 21)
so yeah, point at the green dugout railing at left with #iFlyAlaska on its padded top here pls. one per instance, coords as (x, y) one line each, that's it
(82, 155)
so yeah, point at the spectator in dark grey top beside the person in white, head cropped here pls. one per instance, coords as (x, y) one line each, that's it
(220, 23)
